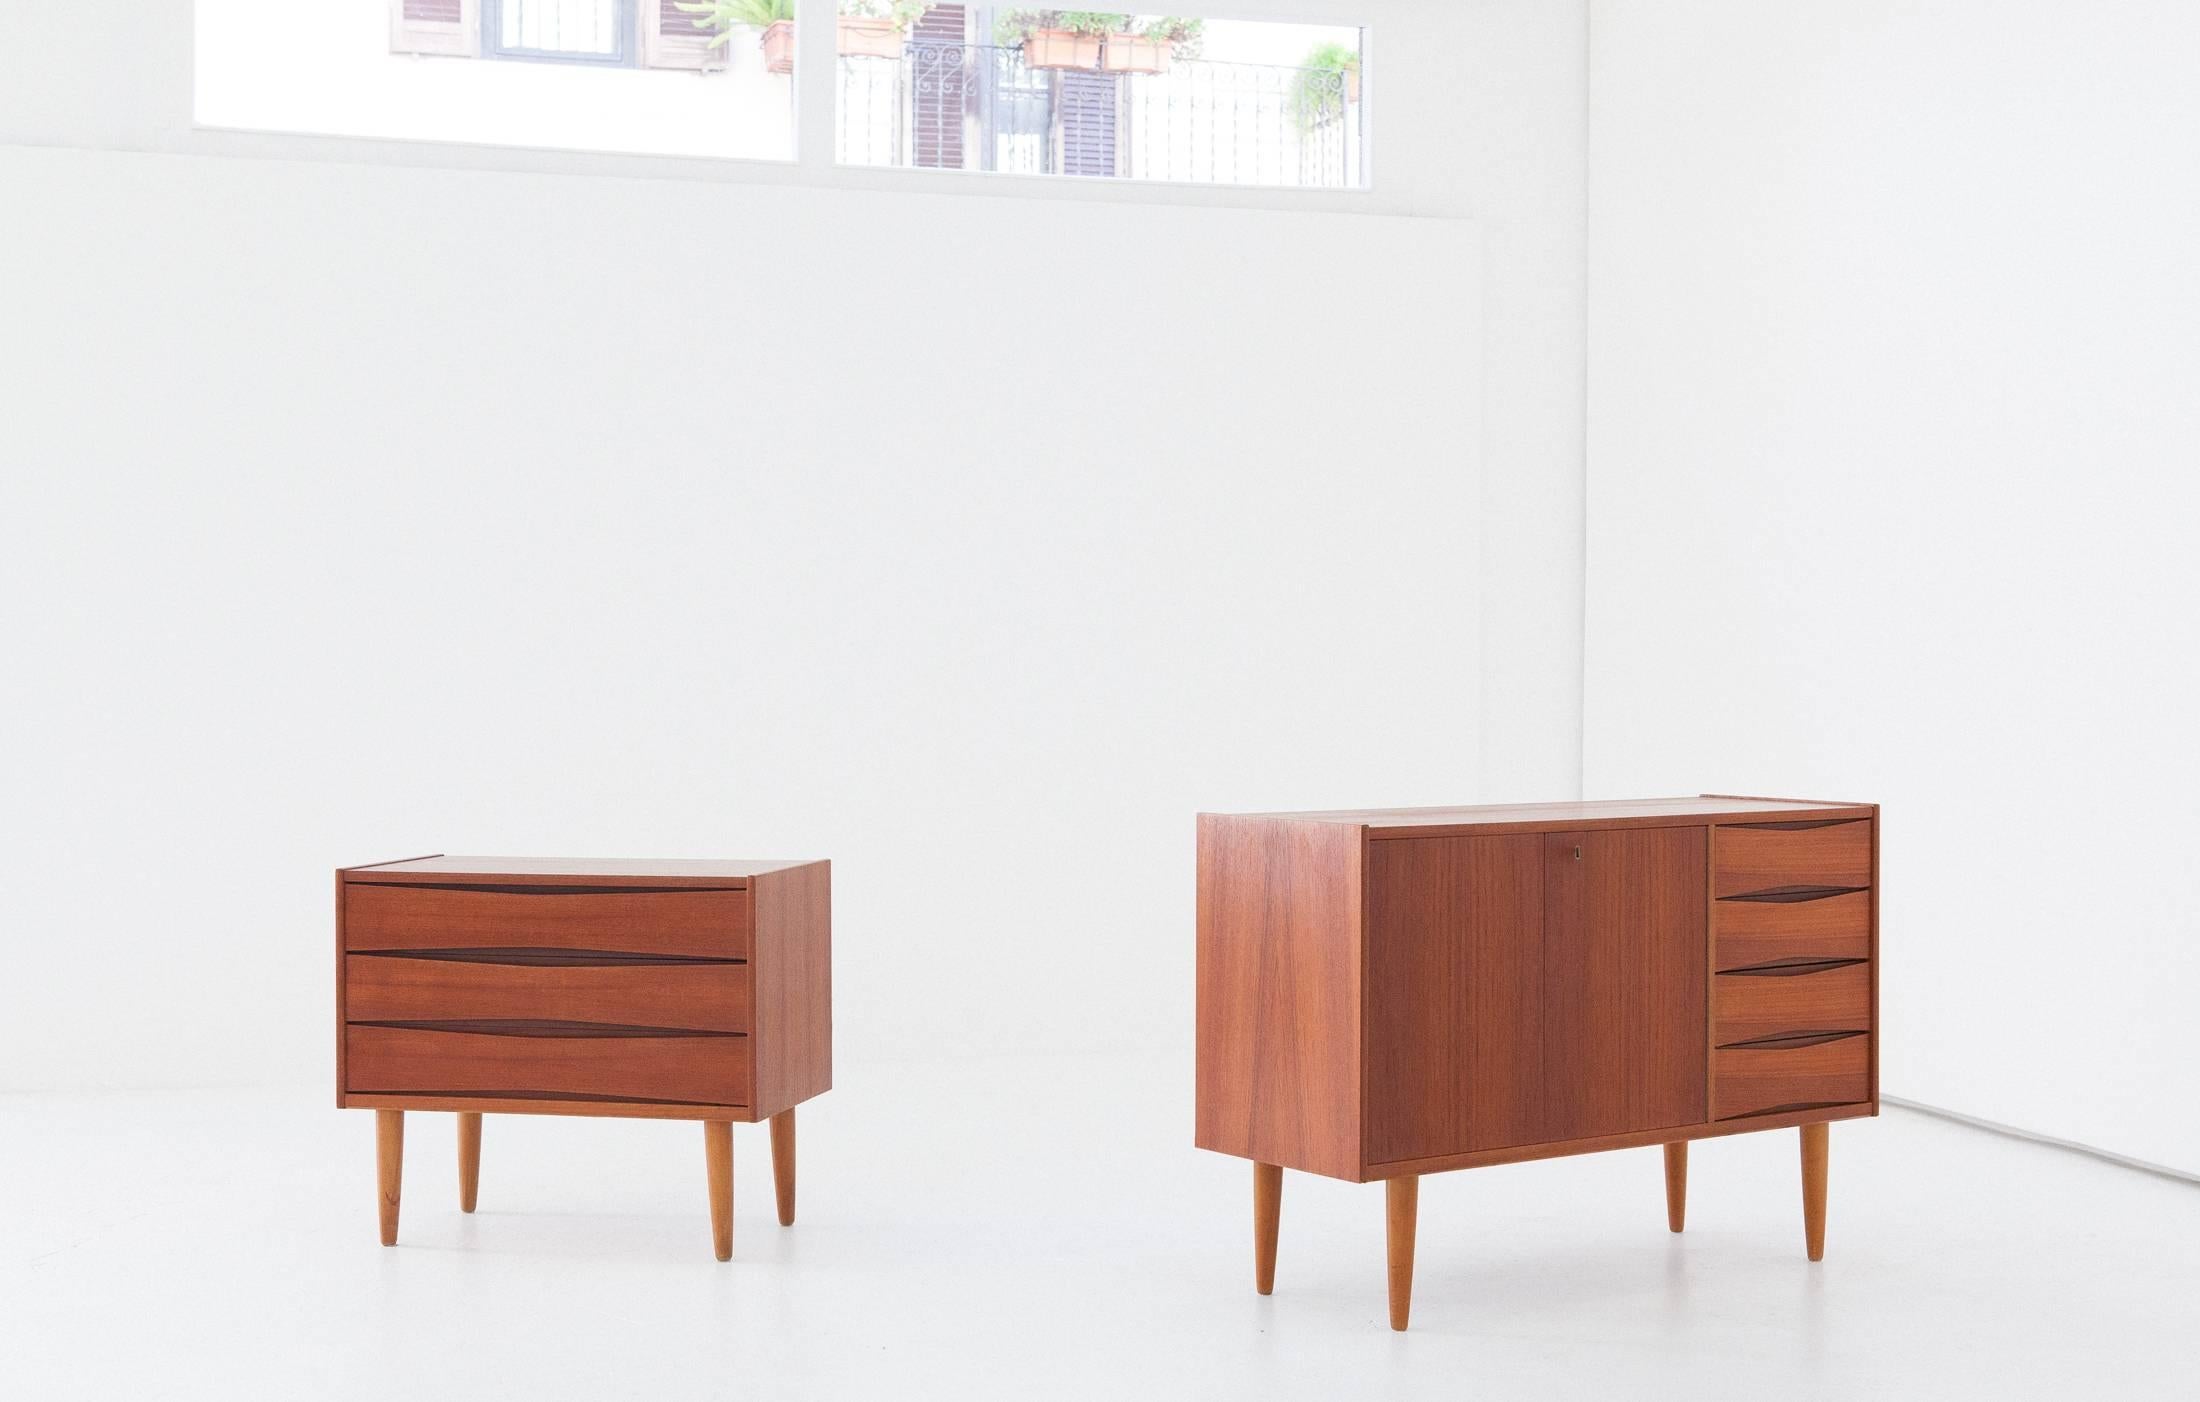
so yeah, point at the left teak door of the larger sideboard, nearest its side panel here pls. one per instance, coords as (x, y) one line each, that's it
(1455, 992)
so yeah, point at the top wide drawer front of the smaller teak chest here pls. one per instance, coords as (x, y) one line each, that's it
(703, 923)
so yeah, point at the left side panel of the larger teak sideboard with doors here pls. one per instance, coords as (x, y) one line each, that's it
(1279, 994)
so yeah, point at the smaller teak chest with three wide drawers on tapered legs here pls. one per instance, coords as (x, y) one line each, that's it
(654, 989)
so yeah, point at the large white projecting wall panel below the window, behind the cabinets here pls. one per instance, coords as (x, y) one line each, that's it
(351, 518)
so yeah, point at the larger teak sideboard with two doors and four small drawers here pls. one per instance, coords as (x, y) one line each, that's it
(1391, 994)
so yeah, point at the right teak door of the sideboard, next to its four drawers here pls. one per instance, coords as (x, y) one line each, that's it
(1625, 981)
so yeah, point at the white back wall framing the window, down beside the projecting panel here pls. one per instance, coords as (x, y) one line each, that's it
(1475, 111)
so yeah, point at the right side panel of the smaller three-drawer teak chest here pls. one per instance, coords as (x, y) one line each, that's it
(791, 987)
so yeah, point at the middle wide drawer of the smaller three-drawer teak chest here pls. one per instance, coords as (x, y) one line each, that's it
(698, 998)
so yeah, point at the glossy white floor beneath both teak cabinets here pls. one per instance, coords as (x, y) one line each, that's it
(1044, 1229)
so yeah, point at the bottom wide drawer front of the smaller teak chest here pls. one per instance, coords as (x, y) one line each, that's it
(560, 1066)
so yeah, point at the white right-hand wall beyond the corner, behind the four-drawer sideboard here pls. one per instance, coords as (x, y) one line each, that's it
(1893, 432)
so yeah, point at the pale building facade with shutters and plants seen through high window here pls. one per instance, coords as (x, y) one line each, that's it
(918, 85)
